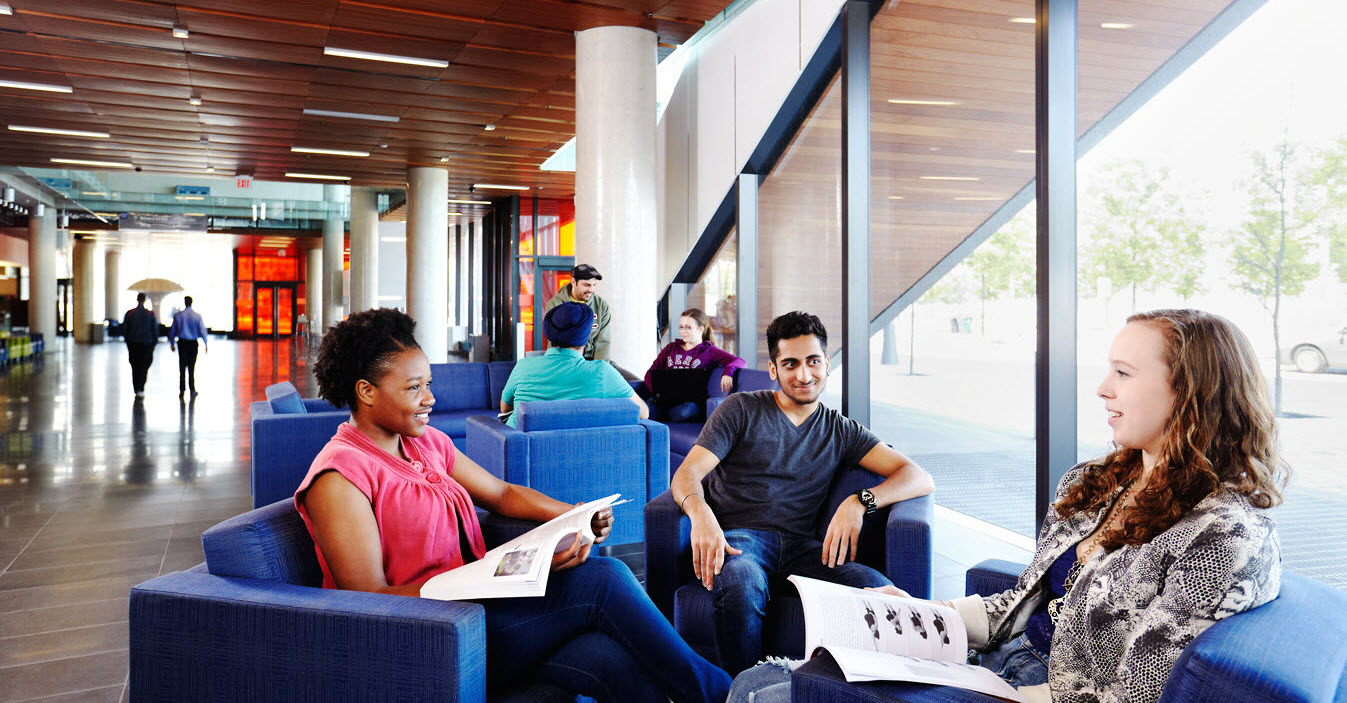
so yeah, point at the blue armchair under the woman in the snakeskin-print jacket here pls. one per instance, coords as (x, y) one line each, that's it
(1290, 651)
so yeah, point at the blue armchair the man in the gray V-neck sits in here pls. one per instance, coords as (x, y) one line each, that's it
(895, 541)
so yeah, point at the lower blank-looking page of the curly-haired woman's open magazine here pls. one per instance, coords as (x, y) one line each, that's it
(863, 666)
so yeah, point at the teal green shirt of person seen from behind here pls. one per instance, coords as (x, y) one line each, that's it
(562, 375)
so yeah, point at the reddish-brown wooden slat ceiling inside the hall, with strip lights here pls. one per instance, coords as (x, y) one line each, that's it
(258, 64)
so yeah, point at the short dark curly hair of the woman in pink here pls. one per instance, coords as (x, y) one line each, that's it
(362, 347)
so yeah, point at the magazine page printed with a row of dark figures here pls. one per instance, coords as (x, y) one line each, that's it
(841, 616)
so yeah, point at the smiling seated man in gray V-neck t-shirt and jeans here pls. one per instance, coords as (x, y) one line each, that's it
(771, 457)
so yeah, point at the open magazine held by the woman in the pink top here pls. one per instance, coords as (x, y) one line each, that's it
(519, 569)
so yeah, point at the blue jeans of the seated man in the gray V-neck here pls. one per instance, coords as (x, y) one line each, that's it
(742, 592)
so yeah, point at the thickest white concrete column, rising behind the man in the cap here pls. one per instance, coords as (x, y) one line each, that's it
(615, 181)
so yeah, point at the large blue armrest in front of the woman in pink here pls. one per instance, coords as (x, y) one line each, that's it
(196, 638)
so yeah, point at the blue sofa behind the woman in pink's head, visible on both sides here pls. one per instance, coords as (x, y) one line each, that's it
(289, 432)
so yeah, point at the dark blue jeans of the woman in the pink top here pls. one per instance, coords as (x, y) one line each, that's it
(599, 635)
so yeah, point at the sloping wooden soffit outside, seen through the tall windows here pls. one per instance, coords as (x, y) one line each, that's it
(964, 52)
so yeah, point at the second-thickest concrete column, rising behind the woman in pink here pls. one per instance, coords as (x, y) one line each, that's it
(428, 251)
